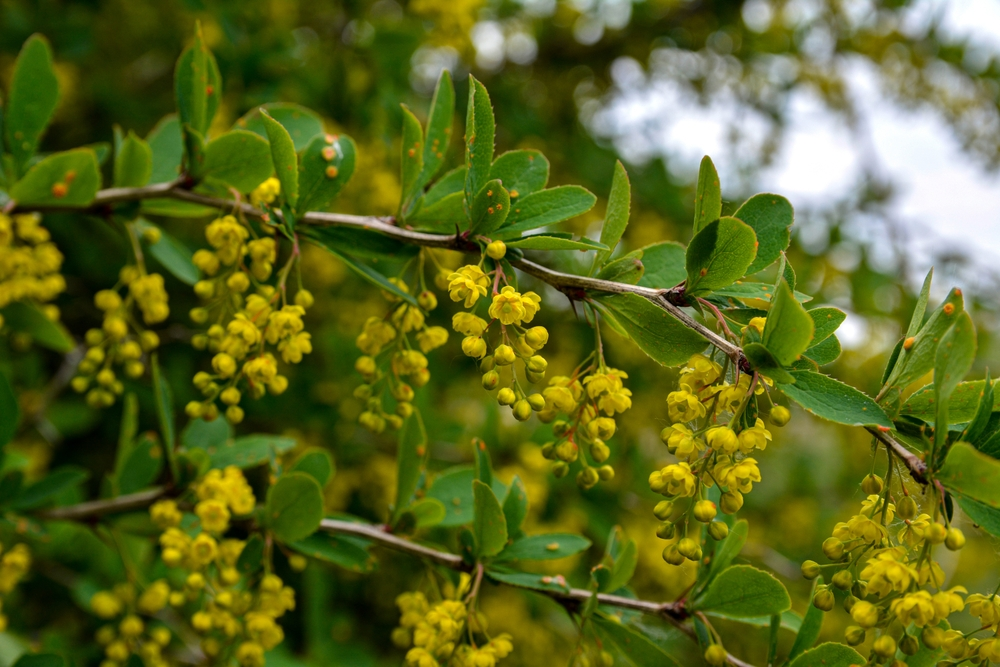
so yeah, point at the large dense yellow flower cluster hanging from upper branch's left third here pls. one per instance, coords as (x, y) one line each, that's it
(248, 330)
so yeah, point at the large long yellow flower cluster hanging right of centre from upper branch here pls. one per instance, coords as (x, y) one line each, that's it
(713, 440)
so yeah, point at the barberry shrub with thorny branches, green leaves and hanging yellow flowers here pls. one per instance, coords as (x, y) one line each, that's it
(202, 519)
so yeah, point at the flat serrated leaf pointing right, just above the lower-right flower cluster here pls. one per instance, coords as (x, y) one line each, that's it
(831, 399)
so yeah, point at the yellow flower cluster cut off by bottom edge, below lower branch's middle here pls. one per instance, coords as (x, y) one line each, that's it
(433, 632)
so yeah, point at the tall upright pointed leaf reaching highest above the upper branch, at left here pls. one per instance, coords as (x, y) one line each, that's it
(197, 85)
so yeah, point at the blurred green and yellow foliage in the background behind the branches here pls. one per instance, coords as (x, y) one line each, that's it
(549, 66)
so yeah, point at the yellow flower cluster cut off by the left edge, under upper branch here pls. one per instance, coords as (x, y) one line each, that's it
(29, 264)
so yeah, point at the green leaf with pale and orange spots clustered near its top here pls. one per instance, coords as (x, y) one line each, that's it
(321, 179)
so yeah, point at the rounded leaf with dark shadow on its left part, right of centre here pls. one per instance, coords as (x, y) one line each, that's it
(718, 256)
